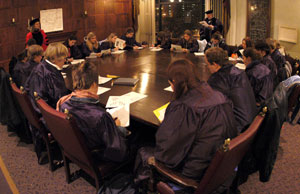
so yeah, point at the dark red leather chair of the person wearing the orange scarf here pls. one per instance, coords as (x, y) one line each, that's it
(72, 144)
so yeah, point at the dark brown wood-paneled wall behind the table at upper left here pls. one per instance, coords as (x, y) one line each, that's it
(103, 17)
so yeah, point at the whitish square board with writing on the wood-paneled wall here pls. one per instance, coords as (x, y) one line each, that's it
(51, 20)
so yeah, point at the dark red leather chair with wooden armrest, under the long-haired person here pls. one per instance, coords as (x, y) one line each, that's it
(221, 167)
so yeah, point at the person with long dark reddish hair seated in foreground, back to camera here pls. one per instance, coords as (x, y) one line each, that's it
(196, 123)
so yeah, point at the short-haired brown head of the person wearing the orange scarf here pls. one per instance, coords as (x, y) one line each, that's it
(85, 77)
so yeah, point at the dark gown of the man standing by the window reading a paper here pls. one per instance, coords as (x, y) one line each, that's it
(205, 33)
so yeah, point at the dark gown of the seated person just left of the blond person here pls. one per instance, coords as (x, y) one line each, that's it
(22, 71)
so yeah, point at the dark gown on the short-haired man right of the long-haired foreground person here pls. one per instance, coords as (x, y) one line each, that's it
(235, 85)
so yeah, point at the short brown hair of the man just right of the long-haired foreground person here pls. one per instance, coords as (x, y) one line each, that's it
(216, 55)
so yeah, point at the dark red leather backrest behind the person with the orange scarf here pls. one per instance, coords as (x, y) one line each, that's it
(65, 131)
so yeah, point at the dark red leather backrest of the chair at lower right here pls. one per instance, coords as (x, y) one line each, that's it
(228, 157)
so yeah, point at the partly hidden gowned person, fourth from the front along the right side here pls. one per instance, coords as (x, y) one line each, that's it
(264, 50)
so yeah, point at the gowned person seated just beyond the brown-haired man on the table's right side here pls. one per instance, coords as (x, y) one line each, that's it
(260, 76)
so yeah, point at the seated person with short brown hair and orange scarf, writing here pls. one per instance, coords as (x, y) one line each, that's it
(99, 128)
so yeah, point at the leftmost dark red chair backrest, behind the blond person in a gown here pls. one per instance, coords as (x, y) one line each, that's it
(26, 105)
